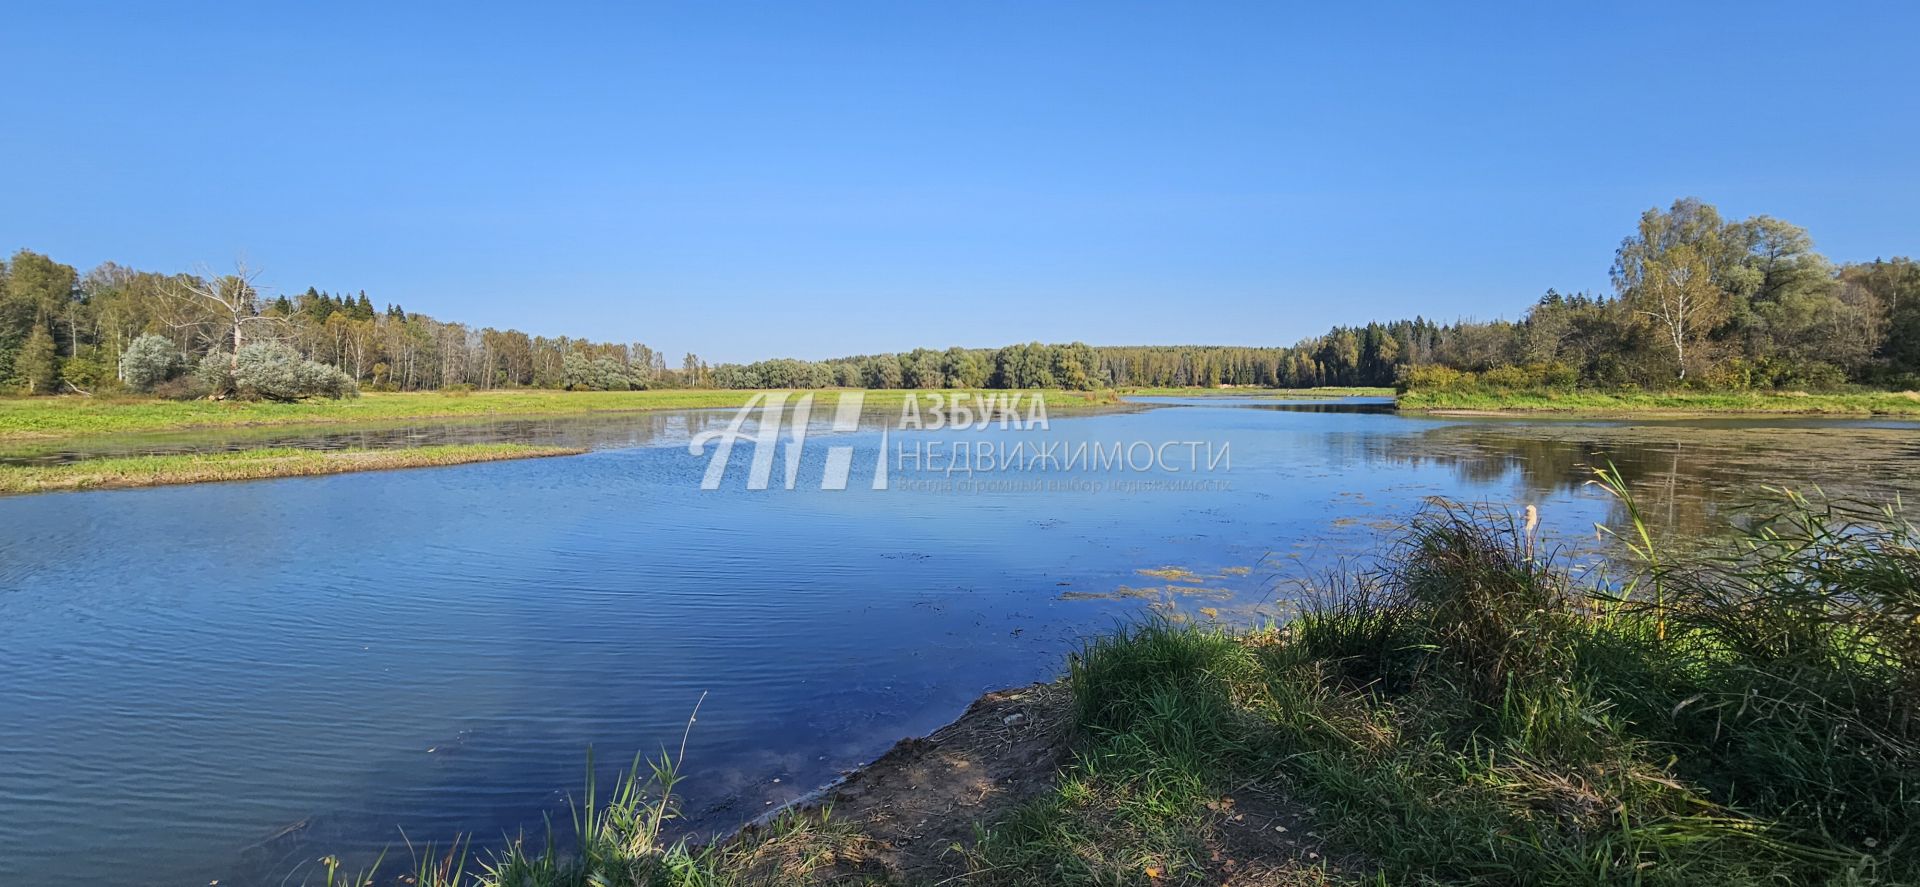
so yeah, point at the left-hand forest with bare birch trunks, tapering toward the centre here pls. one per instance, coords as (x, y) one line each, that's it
(62, 331)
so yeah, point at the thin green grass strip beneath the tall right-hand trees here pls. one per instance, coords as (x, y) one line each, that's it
(1666, 404)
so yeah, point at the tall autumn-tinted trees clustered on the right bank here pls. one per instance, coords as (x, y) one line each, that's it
(1706, 302)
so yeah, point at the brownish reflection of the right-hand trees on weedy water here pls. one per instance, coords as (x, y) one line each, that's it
(1691, 481)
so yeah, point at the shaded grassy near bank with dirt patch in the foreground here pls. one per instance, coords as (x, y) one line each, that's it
(1462, 715)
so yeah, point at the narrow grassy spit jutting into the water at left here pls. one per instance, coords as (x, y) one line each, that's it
(249, 466)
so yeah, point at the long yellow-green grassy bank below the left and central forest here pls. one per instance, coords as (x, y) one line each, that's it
(55, 418)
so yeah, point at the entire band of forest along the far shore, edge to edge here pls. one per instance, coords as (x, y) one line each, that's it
(1696, 302)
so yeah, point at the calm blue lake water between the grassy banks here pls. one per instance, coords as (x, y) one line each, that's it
(231, 681)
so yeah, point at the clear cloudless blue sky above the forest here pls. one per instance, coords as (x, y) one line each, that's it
(819, 180)
